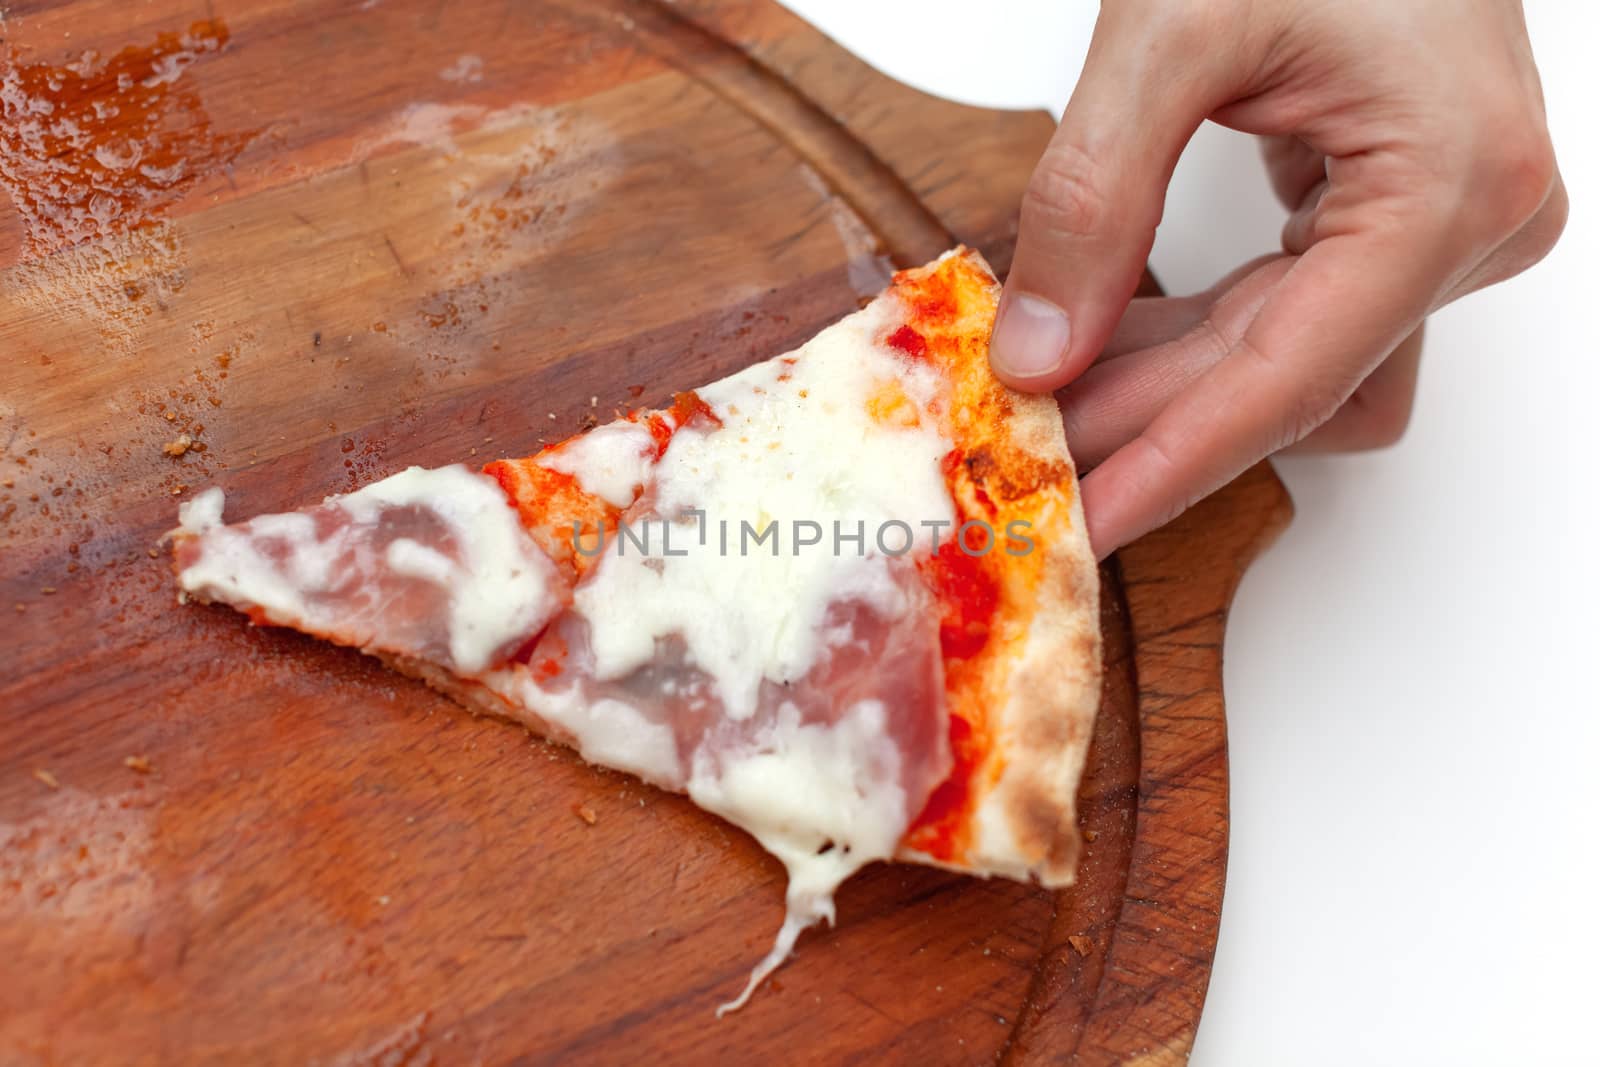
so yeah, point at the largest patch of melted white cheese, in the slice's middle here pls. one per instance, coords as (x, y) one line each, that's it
(796, 446)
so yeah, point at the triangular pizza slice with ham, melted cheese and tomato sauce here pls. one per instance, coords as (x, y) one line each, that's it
(842, 599)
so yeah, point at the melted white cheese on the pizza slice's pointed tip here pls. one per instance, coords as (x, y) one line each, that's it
(498, 585)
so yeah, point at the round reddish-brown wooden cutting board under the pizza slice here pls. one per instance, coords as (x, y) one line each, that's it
(319, 242)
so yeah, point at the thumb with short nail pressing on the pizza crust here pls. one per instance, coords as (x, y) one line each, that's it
(1095, 199)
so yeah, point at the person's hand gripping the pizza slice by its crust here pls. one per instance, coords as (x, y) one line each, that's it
(1410, 145)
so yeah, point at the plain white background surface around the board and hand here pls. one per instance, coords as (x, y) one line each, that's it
(1414, 714)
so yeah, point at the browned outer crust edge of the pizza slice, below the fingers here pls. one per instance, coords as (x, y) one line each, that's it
(1042, 679)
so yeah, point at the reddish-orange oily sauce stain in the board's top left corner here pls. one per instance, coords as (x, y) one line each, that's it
(95, 148)
